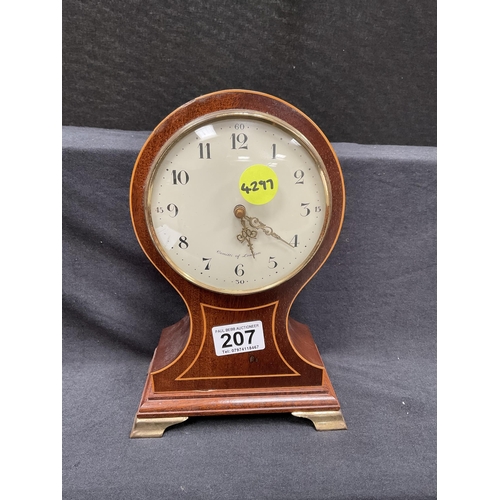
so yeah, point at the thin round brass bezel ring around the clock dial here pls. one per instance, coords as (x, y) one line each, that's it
(221, 115)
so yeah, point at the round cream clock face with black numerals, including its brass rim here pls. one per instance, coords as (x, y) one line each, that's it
(237, 202)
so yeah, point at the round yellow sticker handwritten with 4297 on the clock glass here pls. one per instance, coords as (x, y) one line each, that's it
(258, 184)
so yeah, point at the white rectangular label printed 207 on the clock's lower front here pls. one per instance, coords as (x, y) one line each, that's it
(238, 338)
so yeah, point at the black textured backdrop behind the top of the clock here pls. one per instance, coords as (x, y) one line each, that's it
(364, 71)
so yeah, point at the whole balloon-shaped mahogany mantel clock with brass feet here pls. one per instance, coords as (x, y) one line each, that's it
(237, 198)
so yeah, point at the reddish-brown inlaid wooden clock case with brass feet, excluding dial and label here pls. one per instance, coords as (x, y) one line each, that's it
(185, 377)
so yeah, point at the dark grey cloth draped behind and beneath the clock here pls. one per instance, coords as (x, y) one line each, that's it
(371, 310)
